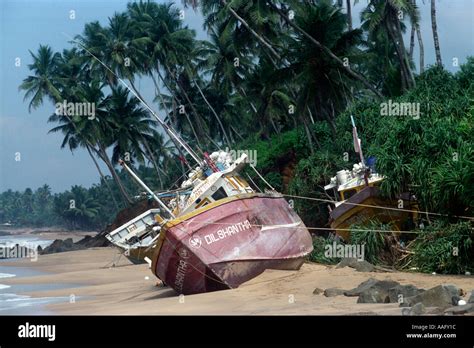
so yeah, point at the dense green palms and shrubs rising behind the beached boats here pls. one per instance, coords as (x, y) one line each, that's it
(278, 78)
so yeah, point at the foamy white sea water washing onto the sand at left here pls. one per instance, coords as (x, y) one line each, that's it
(13, 301)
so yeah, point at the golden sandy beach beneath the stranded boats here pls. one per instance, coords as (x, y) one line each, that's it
(127, 289)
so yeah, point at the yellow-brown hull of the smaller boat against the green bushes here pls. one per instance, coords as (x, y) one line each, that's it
(345, 215)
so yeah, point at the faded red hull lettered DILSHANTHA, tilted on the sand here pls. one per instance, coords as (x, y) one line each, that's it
(230, 244)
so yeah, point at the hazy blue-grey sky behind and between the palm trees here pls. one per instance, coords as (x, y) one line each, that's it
(30, 157)
